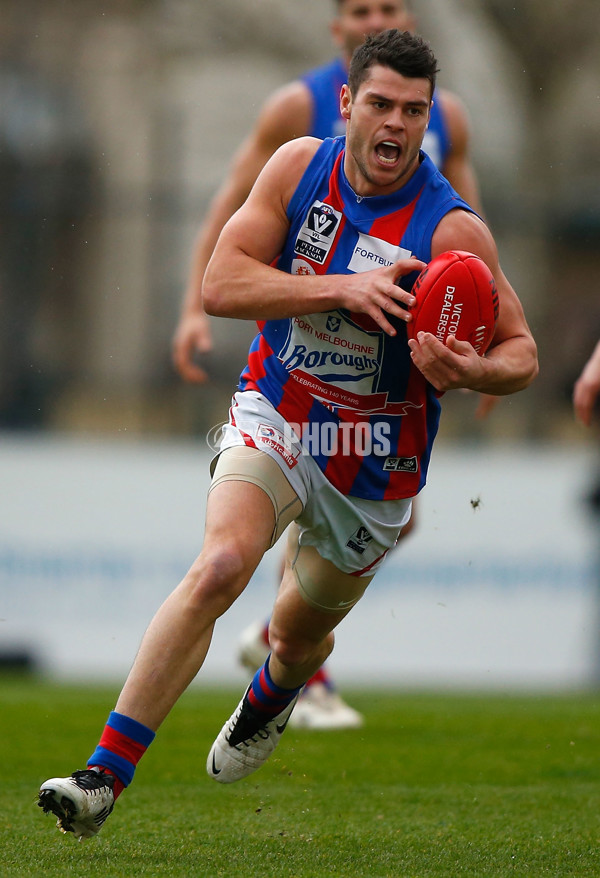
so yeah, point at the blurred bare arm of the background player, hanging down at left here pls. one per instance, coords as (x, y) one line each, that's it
(285, 116)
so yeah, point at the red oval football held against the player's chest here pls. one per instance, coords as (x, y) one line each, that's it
(456, 295)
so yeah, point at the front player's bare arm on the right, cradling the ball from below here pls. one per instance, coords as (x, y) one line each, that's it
(511, 361)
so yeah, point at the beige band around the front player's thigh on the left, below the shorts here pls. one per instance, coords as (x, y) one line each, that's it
(245, 464)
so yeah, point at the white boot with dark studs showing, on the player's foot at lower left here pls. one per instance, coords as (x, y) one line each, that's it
(81, 802)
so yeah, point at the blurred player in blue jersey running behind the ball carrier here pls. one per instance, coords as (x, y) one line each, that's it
(311, 106)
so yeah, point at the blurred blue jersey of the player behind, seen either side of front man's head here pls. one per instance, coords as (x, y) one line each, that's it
(325, 83)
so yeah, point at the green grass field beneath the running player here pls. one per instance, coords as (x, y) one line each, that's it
(435, 784)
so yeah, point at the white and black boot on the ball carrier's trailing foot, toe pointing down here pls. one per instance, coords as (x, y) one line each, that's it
(245, 742)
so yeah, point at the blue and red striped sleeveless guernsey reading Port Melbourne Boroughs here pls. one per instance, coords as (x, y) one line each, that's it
(336, 372)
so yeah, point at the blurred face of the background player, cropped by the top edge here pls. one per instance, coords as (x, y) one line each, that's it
(358, 18)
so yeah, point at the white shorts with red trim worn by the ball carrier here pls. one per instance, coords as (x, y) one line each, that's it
(352, 533)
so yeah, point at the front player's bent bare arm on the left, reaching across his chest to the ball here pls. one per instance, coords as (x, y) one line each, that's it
(240, 281)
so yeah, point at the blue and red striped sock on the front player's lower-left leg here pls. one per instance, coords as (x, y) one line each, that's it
(123, 743)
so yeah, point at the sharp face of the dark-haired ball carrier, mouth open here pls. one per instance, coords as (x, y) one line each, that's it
(386, 123)
